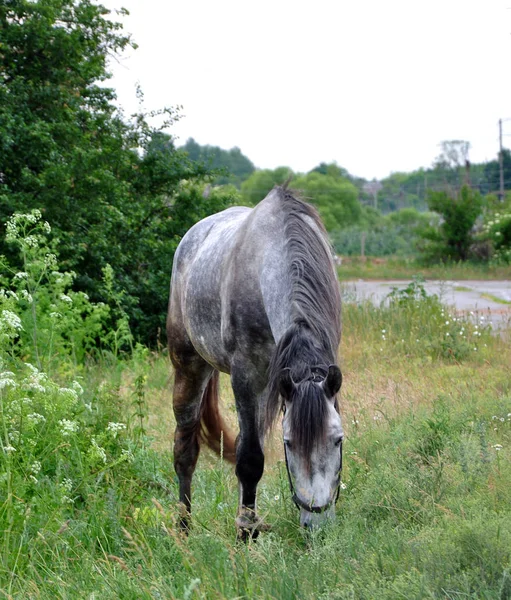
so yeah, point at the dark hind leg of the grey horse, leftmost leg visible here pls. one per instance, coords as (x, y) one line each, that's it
(189, 387)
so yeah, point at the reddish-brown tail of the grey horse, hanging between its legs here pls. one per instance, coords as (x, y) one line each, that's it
(213, 429)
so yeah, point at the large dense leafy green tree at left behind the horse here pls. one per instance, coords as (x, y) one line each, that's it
(110, 187)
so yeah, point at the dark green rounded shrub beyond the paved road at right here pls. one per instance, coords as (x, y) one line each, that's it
(451, 240)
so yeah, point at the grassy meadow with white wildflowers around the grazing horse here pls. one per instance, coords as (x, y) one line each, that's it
(88, 494)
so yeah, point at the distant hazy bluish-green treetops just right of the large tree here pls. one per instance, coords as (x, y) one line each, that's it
(235, 165)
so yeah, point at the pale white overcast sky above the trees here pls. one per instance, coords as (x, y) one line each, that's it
(371, 85)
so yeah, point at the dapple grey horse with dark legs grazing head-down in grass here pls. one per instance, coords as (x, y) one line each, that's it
(254, 294)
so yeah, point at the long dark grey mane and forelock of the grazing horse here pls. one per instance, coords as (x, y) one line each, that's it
(313, 338)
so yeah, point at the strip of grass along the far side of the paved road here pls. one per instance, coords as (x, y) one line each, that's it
(402, 268)
